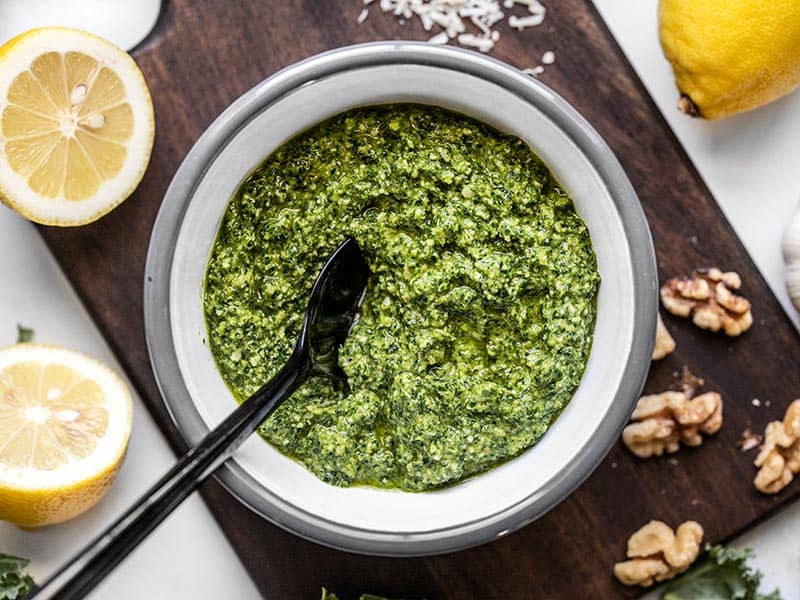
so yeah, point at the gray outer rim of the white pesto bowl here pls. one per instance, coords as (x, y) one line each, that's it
(159, 263)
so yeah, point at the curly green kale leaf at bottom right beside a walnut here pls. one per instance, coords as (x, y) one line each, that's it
(725, 575)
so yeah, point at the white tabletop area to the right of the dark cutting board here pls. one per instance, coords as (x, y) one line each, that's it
(750, 164)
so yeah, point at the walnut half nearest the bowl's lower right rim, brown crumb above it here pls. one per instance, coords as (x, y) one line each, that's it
(661, 422)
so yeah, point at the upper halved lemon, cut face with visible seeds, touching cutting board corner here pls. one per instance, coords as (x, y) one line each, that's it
(76, 126)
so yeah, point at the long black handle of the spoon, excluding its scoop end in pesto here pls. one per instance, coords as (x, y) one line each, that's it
(85, 570)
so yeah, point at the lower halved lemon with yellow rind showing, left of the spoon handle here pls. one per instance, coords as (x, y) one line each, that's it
(65, 422)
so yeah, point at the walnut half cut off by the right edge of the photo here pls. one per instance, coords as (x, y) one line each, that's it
(779, 458)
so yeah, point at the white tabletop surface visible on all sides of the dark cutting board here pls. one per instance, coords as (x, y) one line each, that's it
(749, 162)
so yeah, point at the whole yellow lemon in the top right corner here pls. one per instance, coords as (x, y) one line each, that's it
(731, 56)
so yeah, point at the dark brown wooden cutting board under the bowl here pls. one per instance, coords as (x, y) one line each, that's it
(205, 53)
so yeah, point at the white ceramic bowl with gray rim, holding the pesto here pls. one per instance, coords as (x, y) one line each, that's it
(478, 509)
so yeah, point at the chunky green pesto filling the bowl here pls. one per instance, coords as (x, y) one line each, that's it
(479, 313)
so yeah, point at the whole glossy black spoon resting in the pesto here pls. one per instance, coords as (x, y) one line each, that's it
(332, 310)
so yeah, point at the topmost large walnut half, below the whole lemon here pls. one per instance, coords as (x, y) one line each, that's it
(708, 297)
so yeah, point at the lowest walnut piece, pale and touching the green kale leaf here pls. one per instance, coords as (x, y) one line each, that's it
(656, 553)
